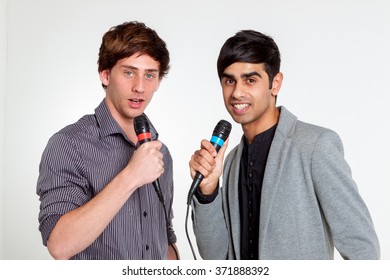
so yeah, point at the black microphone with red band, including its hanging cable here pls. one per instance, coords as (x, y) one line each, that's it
(142, 129)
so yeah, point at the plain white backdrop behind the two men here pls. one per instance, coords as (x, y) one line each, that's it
(335, 60)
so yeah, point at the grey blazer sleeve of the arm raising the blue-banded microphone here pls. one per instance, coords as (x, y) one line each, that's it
(210, 229)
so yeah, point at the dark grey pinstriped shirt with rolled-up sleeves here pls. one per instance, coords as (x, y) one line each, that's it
(77, 163)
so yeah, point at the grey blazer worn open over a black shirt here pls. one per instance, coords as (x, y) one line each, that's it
(309, 202)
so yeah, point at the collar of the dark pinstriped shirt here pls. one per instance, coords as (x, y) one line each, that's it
(109, 126)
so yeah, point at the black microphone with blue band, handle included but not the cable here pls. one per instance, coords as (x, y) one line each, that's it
(220, 134)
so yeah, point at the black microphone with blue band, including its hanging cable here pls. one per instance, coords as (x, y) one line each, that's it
(220, 134)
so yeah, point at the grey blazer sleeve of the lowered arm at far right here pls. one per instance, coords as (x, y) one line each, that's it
(344, 210)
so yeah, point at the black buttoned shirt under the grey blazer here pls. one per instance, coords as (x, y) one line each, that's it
(252, 167)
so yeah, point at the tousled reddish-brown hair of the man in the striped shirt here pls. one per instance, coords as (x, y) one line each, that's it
(126, 39)
